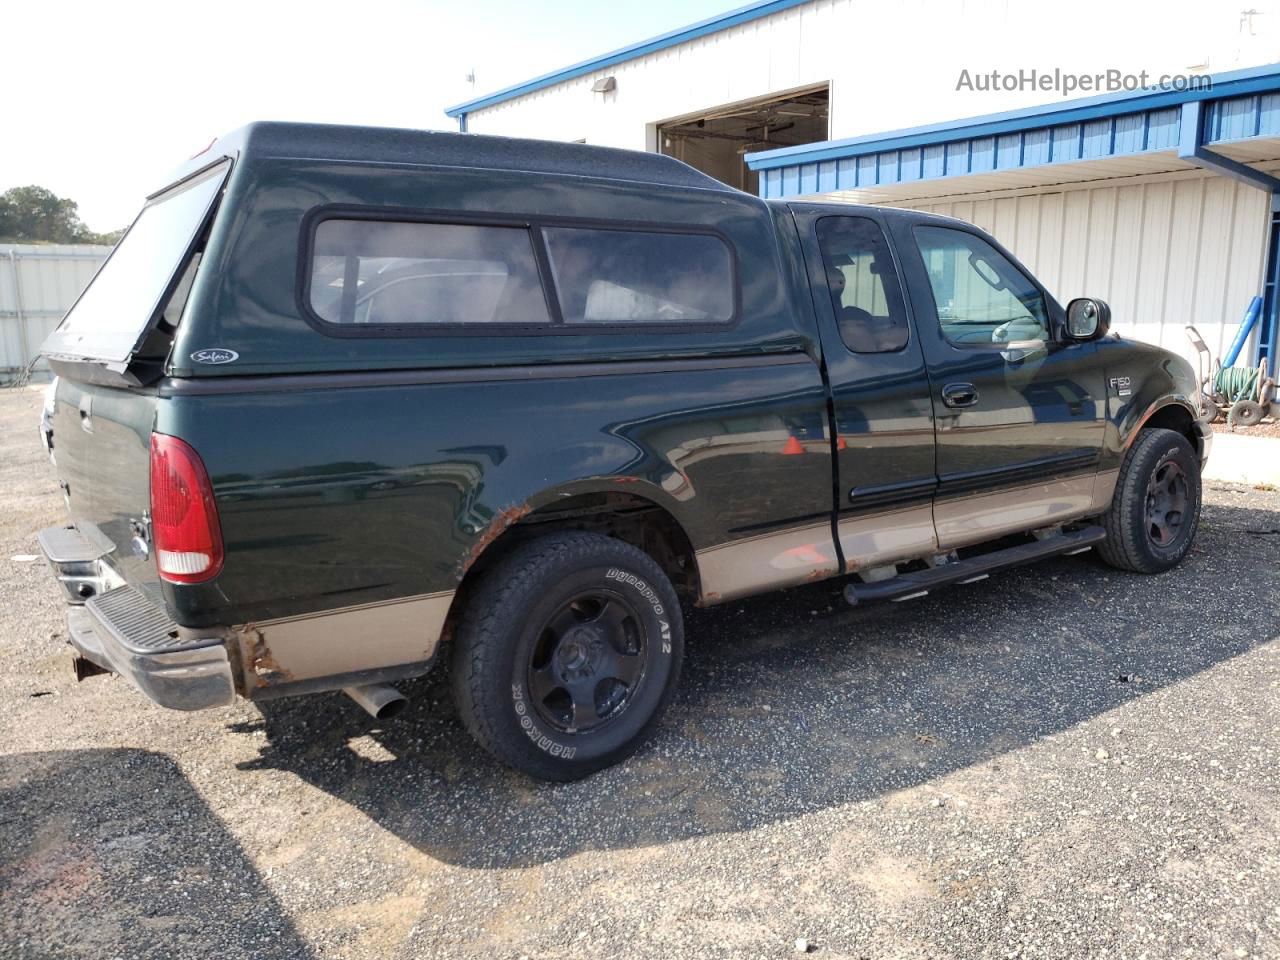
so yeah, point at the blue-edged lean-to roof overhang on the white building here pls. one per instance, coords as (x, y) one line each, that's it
(1078, 140)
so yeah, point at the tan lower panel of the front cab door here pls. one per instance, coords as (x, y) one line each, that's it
(985, 516)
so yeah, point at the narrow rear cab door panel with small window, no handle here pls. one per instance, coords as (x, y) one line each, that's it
(880, 388)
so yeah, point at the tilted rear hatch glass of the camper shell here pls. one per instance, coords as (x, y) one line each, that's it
(115, 312)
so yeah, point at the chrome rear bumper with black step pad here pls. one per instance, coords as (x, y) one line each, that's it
(124, 632)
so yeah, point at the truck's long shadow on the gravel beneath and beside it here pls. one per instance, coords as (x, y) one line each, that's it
(796, 702)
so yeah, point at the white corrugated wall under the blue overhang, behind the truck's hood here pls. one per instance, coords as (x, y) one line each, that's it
(1163, 252)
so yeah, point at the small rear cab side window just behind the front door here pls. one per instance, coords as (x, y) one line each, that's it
(863, 282)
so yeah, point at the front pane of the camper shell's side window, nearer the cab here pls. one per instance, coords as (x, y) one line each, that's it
(628, 277)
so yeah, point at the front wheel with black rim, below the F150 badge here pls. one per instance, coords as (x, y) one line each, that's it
(1155, 511)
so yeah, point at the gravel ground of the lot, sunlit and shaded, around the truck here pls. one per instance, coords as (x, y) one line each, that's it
(1058, 762)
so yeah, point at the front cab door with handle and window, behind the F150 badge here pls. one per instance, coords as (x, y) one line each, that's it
(1020, 414)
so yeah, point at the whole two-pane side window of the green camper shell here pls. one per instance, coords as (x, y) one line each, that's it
(403, 275)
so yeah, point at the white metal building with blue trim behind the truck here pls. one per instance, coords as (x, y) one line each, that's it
(1158, 199)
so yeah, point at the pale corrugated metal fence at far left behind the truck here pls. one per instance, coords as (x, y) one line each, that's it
(39, 282)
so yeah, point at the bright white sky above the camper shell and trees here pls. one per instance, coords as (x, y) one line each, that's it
(131, 89)
